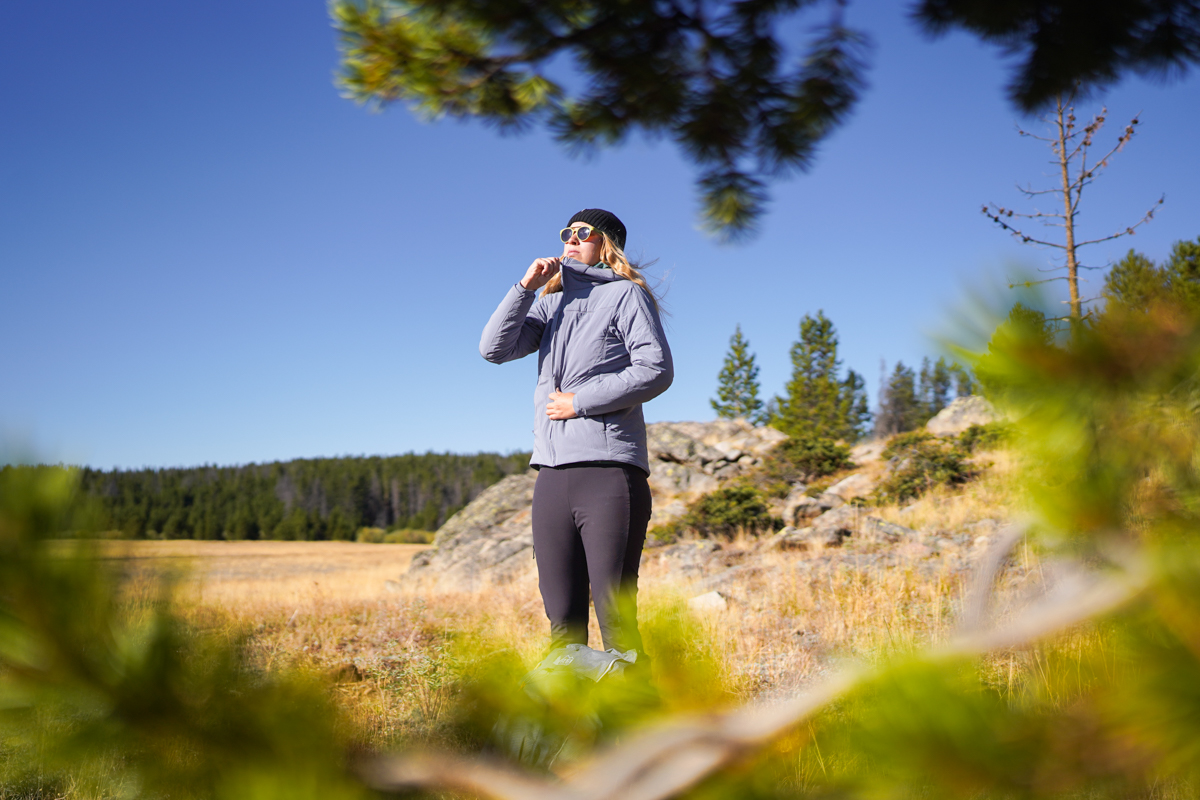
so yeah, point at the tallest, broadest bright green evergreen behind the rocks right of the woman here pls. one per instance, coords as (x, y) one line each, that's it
(817, 402)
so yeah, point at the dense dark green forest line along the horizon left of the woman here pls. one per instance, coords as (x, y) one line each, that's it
(303, 500)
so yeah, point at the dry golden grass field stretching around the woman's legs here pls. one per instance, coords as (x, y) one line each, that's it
(393, 655)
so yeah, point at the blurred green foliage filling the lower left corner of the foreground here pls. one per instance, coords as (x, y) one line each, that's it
(122, 700)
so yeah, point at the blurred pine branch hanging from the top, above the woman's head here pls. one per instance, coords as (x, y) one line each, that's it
(711, 77)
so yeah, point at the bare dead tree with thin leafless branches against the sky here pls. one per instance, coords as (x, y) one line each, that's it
(1071, 147)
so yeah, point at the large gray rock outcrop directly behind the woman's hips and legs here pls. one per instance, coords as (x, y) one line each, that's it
(493, 538)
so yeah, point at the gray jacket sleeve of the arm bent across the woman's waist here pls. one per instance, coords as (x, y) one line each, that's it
(650, 372)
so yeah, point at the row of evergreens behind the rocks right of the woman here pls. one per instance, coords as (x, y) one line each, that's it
(821, 404)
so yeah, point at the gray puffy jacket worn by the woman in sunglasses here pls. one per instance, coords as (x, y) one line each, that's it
(602, 339)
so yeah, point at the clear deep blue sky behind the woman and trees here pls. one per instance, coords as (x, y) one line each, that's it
(207, 256)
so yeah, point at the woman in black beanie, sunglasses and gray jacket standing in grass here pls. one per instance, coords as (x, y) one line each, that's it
(602, 353)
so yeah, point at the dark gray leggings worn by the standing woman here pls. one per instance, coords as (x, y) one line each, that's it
(589, 528)
